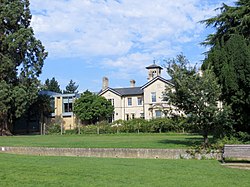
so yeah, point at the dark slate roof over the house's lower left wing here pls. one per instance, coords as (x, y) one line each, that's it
(124, 91)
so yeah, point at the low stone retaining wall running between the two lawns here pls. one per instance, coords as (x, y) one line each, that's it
(109, 152)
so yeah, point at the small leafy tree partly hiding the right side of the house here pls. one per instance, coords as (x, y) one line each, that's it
(197, 95)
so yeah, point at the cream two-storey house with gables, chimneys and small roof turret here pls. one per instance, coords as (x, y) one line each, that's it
(146, 101)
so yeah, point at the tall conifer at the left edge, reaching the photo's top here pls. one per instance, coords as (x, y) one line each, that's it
(21, 61)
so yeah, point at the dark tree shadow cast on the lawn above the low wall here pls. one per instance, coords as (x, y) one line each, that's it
(187, 142)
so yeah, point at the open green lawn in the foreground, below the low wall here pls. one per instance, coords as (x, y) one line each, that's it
(21, 170)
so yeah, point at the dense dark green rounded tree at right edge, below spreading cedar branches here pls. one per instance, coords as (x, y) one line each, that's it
(231, 64)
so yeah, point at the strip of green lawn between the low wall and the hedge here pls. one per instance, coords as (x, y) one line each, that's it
(105, 141)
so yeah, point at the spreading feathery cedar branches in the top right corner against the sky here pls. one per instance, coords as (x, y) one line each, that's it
(231, 20)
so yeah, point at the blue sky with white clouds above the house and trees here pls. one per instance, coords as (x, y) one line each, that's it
(89, 39)
